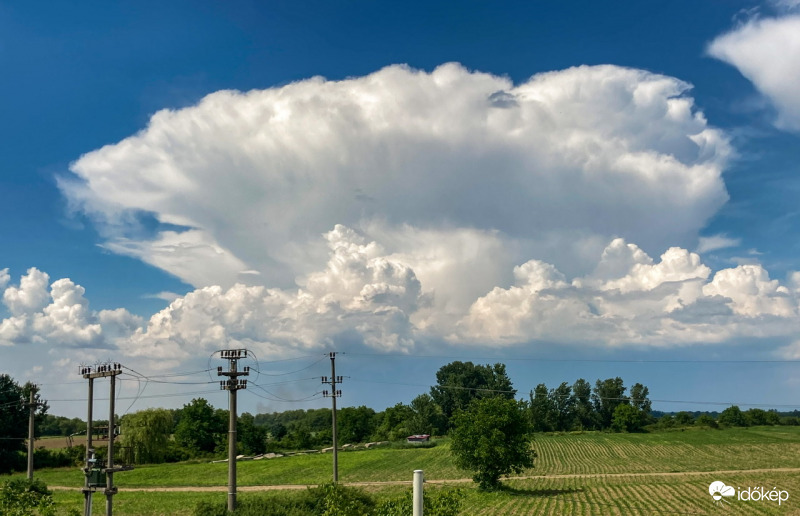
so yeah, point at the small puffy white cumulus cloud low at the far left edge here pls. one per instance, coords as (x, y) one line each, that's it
(59, 315)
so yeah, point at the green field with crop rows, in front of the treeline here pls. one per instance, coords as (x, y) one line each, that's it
(589, 473)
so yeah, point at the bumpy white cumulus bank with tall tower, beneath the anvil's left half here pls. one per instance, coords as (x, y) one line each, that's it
(361, 294)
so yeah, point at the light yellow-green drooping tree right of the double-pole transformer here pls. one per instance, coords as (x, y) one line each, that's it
(147, 433)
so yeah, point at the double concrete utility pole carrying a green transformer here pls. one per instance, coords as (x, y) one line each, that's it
(94, 475)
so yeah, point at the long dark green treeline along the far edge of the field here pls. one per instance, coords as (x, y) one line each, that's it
(200, 430)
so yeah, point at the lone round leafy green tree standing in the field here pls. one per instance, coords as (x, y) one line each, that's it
(492, 438)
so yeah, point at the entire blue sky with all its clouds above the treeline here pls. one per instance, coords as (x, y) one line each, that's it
(573, 188)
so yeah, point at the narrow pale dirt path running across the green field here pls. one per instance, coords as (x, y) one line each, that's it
(446, 481)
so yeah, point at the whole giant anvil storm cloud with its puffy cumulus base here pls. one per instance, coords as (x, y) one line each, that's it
(454, 207)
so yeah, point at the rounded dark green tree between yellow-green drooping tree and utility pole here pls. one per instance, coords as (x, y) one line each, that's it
(198, 427)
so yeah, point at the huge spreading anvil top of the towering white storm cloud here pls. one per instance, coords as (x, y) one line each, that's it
(245, 182)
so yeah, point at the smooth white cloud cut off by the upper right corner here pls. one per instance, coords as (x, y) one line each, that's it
(767, 52)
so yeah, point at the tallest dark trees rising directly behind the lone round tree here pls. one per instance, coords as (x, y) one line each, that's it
(458, 383)
